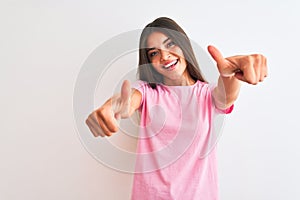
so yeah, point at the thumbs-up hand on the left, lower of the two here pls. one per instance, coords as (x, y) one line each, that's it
(104, 120)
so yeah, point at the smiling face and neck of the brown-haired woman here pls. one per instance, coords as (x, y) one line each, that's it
(167, 59)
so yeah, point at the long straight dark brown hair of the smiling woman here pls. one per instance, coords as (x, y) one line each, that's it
(171, 29)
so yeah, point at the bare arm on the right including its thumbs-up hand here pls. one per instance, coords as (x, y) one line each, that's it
(249, 68)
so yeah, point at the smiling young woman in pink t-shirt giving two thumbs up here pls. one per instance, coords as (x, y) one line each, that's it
(177, 108)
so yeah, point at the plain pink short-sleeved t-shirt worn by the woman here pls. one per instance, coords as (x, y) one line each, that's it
(176, 154)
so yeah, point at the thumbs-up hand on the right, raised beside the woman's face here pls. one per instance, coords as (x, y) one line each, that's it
(249, 68)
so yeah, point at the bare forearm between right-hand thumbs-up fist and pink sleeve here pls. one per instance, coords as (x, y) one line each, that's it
(226, 92)
